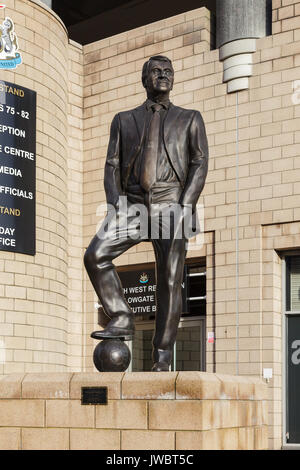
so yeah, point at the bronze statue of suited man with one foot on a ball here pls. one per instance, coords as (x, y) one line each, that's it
(157, 158)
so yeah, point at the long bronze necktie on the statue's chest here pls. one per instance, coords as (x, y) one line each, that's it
(149, 164)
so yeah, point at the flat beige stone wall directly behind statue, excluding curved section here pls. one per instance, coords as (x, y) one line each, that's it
(268, 171)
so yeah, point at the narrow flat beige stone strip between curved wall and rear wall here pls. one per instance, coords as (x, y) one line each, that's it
(75, 209)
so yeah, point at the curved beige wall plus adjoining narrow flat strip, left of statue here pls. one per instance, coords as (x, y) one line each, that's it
(37, 292)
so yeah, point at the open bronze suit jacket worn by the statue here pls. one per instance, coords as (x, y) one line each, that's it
(185, 142)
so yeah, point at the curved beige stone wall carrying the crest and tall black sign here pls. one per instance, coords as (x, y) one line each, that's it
(33, 292)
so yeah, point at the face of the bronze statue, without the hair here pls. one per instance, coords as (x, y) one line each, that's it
(160, 77)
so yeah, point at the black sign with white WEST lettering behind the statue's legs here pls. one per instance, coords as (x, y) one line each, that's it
(139, 290)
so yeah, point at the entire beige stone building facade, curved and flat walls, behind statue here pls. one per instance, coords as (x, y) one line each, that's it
(47, 304)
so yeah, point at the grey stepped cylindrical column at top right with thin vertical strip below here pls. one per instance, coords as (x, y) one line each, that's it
(239, 23)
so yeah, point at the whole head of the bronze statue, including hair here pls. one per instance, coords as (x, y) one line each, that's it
(158, 75)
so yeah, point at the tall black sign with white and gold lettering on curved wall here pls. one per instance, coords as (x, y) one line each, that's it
(17, 168)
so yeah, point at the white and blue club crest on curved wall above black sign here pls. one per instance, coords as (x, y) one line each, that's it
(10, 58)
